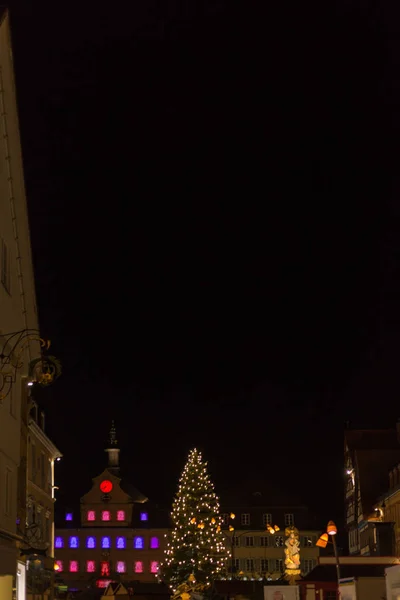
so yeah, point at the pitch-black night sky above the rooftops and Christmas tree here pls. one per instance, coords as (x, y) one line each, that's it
(215, 233)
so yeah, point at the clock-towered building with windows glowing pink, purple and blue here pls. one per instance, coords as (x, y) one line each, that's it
(118, 534)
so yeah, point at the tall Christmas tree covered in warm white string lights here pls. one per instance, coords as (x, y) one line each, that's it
(196, 544)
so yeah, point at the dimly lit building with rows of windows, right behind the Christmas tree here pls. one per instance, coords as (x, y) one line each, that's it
(255, 532)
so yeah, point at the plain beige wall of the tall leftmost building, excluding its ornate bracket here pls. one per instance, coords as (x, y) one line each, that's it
(17, 301)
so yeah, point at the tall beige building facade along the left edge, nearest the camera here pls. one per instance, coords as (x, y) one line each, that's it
(17, 314)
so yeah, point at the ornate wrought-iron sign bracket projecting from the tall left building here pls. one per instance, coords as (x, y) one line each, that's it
(42, 370)
